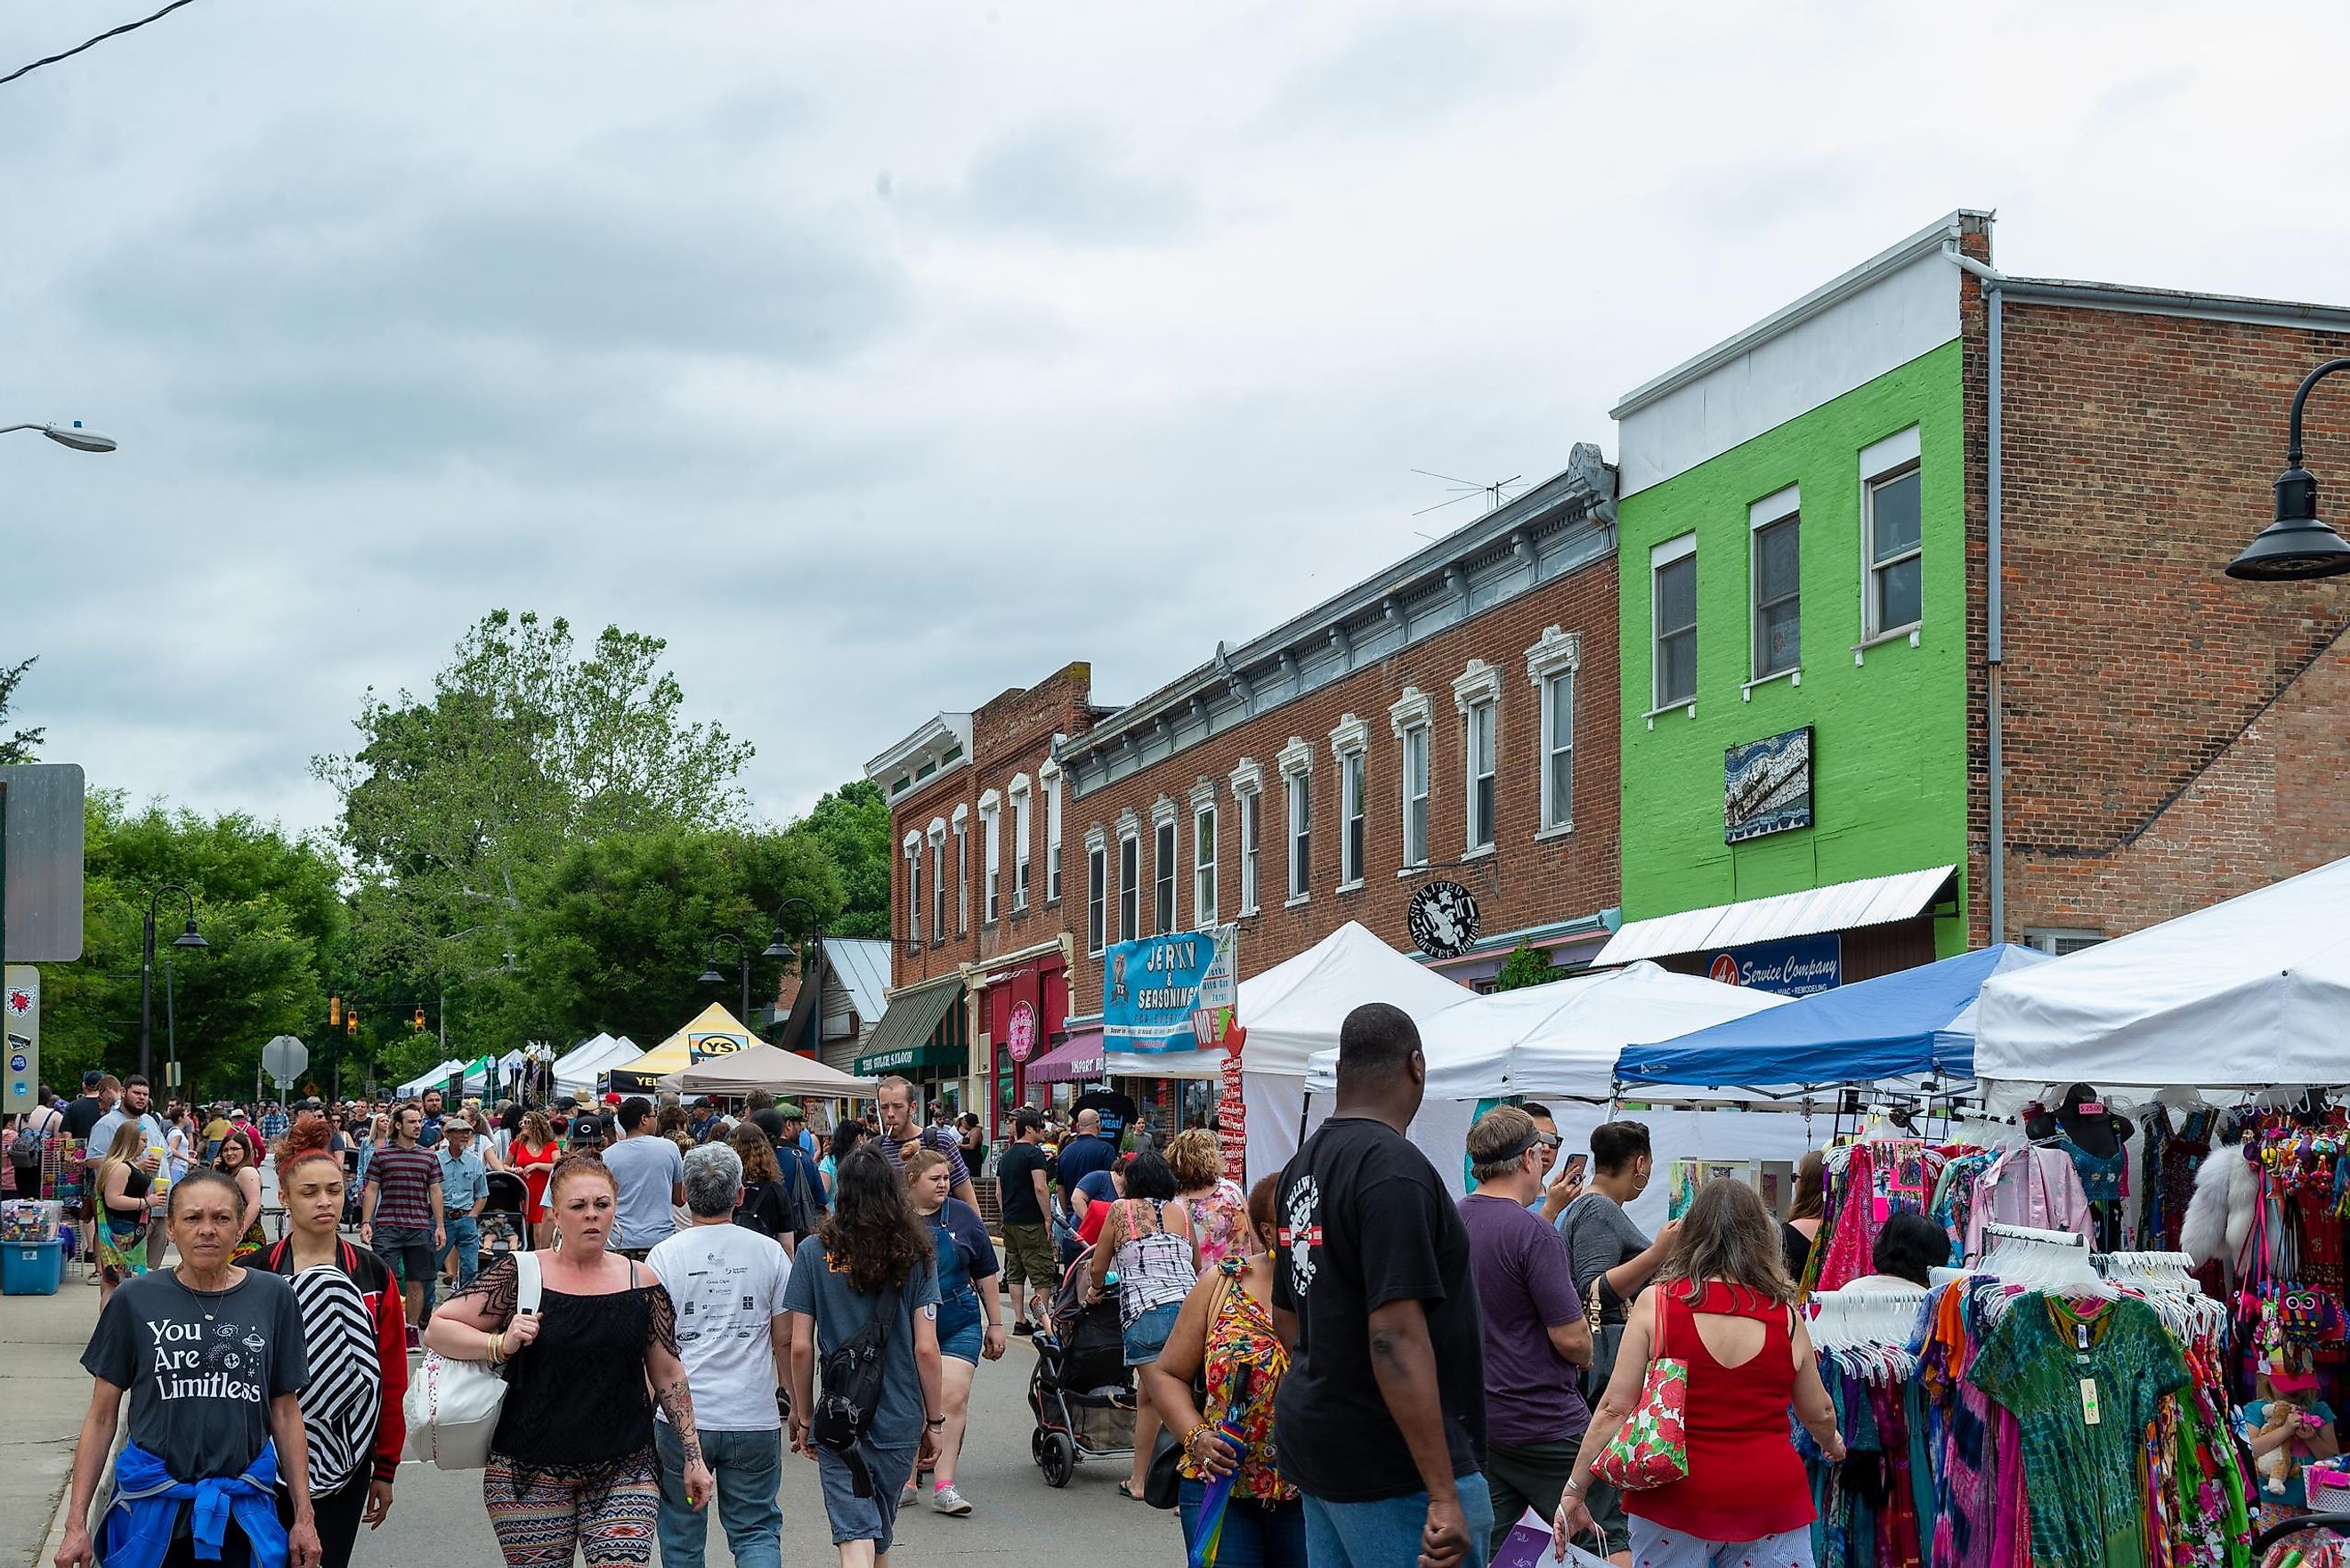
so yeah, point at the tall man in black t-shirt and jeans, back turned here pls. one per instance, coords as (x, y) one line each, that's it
(1385, 1445)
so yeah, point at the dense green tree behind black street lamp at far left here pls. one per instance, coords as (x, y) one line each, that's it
(271, 918)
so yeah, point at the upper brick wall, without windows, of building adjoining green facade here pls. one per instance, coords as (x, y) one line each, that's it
(1526, 880)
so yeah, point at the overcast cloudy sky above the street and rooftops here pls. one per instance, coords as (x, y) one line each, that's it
(889, 356)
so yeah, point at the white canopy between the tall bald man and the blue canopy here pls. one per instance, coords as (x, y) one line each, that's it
(1562, 1040)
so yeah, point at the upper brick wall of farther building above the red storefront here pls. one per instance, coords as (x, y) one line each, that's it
(1009, 737)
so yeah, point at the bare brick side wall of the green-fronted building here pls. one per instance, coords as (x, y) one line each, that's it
(2173, 737)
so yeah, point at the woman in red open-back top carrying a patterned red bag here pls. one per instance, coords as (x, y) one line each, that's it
(1726, 1308)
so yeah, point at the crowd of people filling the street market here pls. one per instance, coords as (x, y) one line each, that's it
(1348, 1365)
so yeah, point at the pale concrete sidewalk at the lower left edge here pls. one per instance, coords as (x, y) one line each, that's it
(46, 1393)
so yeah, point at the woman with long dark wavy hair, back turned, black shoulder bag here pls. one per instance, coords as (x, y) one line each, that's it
(873, 1275)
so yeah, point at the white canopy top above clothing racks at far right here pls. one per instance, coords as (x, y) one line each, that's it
(2243, 996)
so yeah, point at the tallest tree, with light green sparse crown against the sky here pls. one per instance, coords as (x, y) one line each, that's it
(459, 805)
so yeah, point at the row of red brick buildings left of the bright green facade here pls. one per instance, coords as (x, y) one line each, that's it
(1040, 829)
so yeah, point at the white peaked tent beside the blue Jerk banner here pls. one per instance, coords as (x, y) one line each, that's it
(1296, 1007)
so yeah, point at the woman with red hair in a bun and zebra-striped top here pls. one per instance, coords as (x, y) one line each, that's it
(356, 1336)
